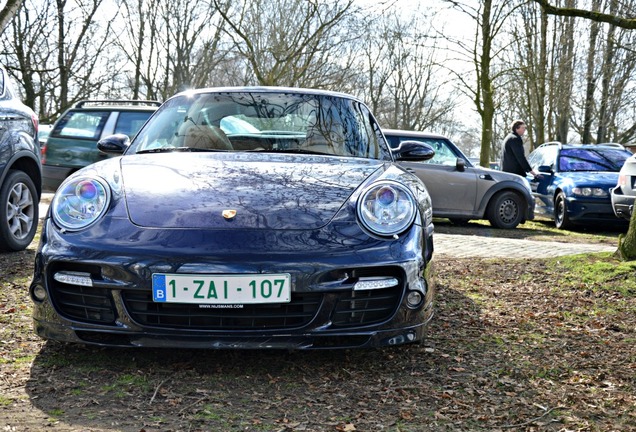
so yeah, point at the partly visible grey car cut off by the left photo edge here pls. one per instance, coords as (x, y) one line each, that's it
(20, 170)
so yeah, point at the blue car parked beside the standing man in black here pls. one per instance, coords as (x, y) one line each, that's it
(575, 180)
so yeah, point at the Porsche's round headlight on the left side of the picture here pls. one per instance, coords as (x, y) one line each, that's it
(78, 203)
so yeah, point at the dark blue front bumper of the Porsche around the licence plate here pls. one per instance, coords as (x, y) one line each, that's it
(324, 312)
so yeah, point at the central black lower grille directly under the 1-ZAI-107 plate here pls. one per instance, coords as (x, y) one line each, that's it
(299, 312)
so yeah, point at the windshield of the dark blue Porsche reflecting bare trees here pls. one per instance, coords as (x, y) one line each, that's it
(345, 125)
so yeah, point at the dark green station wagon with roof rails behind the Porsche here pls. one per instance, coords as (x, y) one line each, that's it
(72, 143)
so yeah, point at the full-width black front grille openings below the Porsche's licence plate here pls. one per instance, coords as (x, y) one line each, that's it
(326, 306)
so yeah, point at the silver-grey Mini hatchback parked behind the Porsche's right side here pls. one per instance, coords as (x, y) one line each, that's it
(461, 191)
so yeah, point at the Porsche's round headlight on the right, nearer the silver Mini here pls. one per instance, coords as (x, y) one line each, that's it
(387, 208)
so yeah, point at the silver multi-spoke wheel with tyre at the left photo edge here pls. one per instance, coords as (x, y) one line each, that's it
(18, 212)
